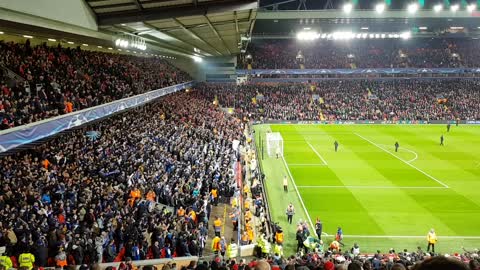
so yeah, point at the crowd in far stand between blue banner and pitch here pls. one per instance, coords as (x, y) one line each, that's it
(353, 100)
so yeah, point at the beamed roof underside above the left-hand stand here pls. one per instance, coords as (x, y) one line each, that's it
(203, 27)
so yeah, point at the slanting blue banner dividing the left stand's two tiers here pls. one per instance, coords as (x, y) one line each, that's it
(14, 137)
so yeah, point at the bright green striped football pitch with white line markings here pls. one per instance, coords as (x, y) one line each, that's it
(382, 199)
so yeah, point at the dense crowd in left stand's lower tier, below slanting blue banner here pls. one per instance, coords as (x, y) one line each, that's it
(140, 188)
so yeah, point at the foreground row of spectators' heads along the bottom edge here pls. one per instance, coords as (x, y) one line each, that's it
(346, 261)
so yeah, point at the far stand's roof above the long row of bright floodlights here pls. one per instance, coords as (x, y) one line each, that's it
(425, 23)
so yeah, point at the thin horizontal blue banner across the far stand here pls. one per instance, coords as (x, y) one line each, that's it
(357, 71)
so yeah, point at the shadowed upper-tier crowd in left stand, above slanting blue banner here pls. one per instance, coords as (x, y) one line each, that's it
(61, 80)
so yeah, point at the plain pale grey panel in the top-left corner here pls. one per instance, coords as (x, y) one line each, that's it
(75, 12)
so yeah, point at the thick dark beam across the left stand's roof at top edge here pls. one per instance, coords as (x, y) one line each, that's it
(150, 14)
